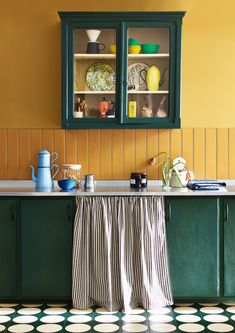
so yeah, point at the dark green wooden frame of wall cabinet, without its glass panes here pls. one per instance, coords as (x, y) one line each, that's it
(121, 21)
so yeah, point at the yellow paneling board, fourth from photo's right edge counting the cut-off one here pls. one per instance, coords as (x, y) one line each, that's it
(199, 153)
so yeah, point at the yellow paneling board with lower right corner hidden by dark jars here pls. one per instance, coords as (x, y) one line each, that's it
(128, 153)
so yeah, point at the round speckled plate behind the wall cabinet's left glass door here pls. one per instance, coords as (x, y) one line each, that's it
(100, 77)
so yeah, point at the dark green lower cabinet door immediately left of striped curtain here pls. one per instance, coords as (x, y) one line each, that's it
(46, 248)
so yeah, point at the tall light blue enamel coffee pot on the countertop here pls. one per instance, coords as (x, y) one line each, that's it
(44, 179)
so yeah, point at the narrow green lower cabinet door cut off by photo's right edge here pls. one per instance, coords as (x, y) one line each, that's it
(229, 246)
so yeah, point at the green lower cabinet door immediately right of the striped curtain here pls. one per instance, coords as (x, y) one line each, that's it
(193, 246)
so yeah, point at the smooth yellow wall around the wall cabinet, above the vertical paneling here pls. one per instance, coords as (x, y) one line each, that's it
(30, 59)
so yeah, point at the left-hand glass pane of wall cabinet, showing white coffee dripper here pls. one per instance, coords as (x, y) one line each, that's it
(94, 75)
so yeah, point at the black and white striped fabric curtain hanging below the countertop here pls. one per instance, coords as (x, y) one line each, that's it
(120, 254)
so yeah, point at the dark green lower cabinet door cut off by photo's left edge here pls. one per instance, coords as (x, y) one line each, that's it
(8, 241)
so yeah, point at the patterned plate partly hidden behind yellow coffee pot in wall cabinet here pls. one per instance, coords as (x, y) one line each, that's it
(134, 77)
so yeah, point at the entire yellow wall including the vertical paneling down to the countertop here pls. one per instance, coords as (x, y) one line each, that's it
(30, 98)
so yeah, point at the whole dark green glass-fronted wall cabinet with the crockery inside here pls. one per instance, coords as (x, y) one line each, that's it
(105, 77)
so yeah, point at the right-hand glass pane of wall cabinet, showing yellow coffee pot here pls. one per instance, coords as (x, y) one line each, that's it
(148, 72)
